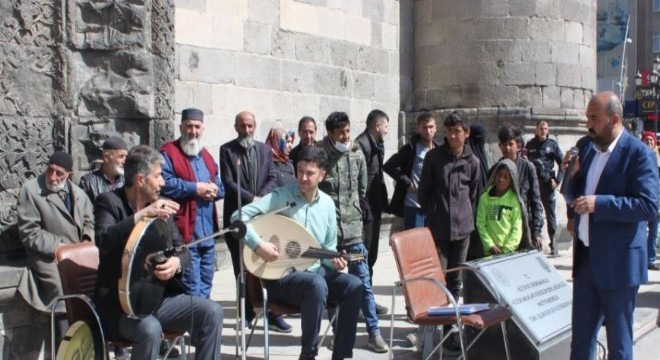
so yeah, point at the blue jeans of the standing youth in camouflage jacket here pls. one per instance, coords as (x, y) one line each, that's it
(361, 270)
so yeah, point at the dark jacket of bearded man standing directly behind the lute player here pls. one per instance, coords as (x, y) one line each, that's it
(229, 153)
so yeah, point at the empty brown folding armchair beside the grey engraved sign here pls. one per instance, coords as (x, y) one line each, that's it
(419, 266)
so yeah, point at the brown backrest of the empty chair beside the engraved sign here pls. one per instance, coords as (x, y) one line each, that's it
(416, 256)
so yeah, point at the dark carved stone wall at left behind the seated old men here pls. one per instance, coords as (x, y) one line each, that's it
(71, 74)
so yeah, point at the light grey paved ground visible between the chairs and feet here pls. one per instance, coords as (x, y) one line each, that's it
(286, 346)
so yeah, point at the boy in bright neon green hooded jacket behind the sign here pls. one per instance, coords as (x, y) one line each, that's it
(500, 214)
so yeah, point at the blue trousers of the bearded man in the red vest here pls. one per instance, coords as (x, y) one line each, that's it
(197, 279)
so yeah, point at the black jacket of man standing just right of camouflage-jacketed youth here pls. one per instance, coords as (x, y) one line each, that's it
(376, 189)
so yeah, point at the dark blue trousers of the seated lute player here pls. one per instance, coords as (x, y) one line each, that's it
(311, 291)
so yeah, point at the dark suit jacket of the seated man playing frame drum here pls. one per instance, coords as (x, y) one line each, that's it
(114, 224)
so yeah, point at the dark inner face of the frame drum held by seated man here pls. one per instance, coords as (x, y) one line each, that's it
(145, 290)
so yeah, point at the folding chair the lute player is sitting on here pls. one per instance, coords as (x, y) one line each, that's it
(258, 296)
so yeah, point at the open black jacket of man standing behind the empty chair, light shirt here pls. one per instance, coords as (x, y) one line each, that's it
(399, 167)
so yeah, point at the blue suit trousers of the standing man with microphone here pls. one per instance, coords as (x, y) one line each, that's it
(593, 306)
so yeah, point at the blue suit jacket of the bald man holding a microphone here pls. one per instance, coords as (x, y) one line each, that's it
(627, 197)
